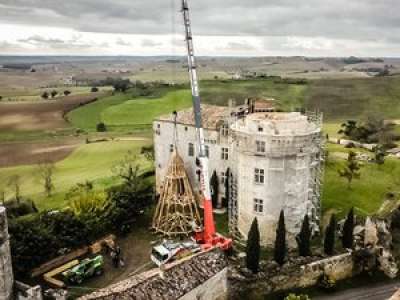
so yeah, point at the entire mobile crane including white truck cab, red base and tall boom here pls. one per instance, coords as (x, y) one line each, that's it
(206, 236)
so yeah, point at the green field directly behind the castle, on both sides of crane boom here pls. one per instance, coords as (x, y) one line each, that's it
(127, 112)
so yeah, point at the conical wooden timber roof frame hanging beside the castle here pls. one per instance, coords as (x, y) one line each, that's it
(177, 211)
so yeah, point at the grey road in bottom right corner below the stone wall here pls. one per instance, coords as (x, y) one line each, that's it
(372, 292)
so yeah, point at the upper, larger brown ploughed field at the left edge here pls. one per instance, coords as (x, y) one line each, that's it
(43, 115)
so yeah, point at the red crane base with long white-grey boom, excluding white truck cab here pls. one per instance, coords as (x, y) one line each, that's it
(207, 236)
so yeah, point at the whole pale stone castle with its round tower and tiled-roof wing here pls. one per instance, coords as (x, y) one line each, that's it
(275, 160)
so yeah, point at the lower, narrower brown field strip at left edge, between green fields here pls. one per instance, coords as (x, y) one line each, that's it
(16, 154)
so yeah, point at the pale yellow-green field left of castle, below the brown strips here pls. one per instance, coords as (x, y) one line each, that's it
(91, 162)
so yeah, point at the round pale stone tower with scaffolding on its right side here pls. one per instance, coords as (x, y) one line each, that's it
(278, 156)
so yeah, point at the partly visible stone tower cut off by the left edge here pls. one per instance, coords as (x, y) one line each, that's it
(6, 274)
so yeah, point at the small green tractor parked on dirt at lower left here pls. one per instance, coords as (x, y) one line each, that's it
(87, 268)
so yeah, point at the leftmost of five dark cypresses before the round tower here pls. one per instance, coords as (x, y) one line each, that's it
(253, 248)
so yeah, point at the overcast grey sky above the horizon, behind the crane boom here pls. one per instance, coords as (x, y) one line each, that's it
(221, 27)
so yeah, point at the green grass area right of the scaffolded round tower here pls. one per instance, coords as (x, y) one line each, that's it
(367, 193)
